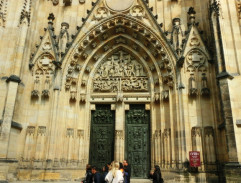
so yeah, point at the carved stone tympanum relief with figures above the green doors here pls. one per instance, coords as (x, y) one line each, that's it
(120, 72)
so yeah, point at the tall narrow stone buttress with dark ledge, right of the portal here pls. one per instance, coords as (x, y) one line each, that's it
(223, 77)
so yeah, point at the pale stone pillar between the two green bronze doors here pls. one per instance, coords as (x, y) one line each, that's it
(119, 131)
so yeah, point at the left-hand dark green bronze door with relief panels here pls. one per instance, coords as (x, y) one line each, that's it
(102, 136)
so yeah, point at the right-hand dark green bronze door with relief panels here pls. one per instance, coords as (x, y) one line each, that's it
(137, 144)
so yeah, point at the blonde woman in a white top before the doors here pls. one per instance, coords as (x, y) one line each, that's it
(114, 175)
